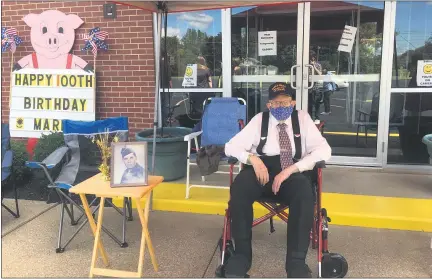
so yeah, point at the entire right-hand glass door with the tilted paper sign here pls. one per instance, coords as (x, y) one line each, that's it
(342, 77)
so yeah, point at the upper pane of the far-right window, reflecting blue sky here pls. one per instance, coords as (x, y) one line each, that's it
(413, 41)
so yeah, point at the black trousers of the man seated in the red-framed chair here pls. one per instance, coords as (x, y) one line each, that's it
(296, 192)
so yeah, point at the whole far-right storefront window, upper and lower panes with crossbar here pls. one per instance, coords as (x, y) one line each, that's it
(411, 93)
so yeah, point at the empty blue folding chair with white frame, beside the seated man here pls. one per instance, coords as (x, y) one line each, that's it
(222, 119)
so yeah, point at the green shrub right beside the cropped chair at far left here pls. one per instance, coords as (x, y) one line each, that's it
(20, 156)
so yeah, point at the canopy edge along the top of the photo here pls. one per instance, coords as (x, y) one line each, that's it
(183, 6)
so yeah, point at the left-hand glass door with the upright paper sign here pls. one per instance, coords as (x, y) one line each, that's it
(266, 47)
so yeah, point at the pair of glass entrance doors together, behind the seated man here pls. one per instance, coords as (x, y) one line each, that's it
(340, 82)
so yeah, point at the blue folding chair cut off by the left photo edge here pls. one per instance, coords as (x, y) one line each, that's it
(7, 169)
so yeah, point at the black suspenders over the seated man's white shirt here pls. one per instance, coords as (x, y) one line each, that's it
(296, 132)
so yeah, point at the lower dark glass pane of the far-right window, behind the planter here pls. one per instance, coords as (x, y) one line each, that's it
(410, 121)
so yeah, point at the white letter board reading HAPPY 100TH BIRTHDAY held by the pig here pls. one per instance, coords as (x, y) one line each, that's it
(42, 98)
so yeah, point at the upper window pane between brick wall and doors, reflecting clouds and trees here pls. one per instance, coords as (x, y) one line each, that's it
(194, 38)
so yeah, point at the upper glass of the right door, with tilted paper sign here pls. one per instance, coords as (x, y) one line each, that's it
(327, 24)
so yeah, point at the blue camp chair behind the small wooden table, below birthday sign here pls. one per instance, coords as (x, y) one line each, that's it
(69, 157)
